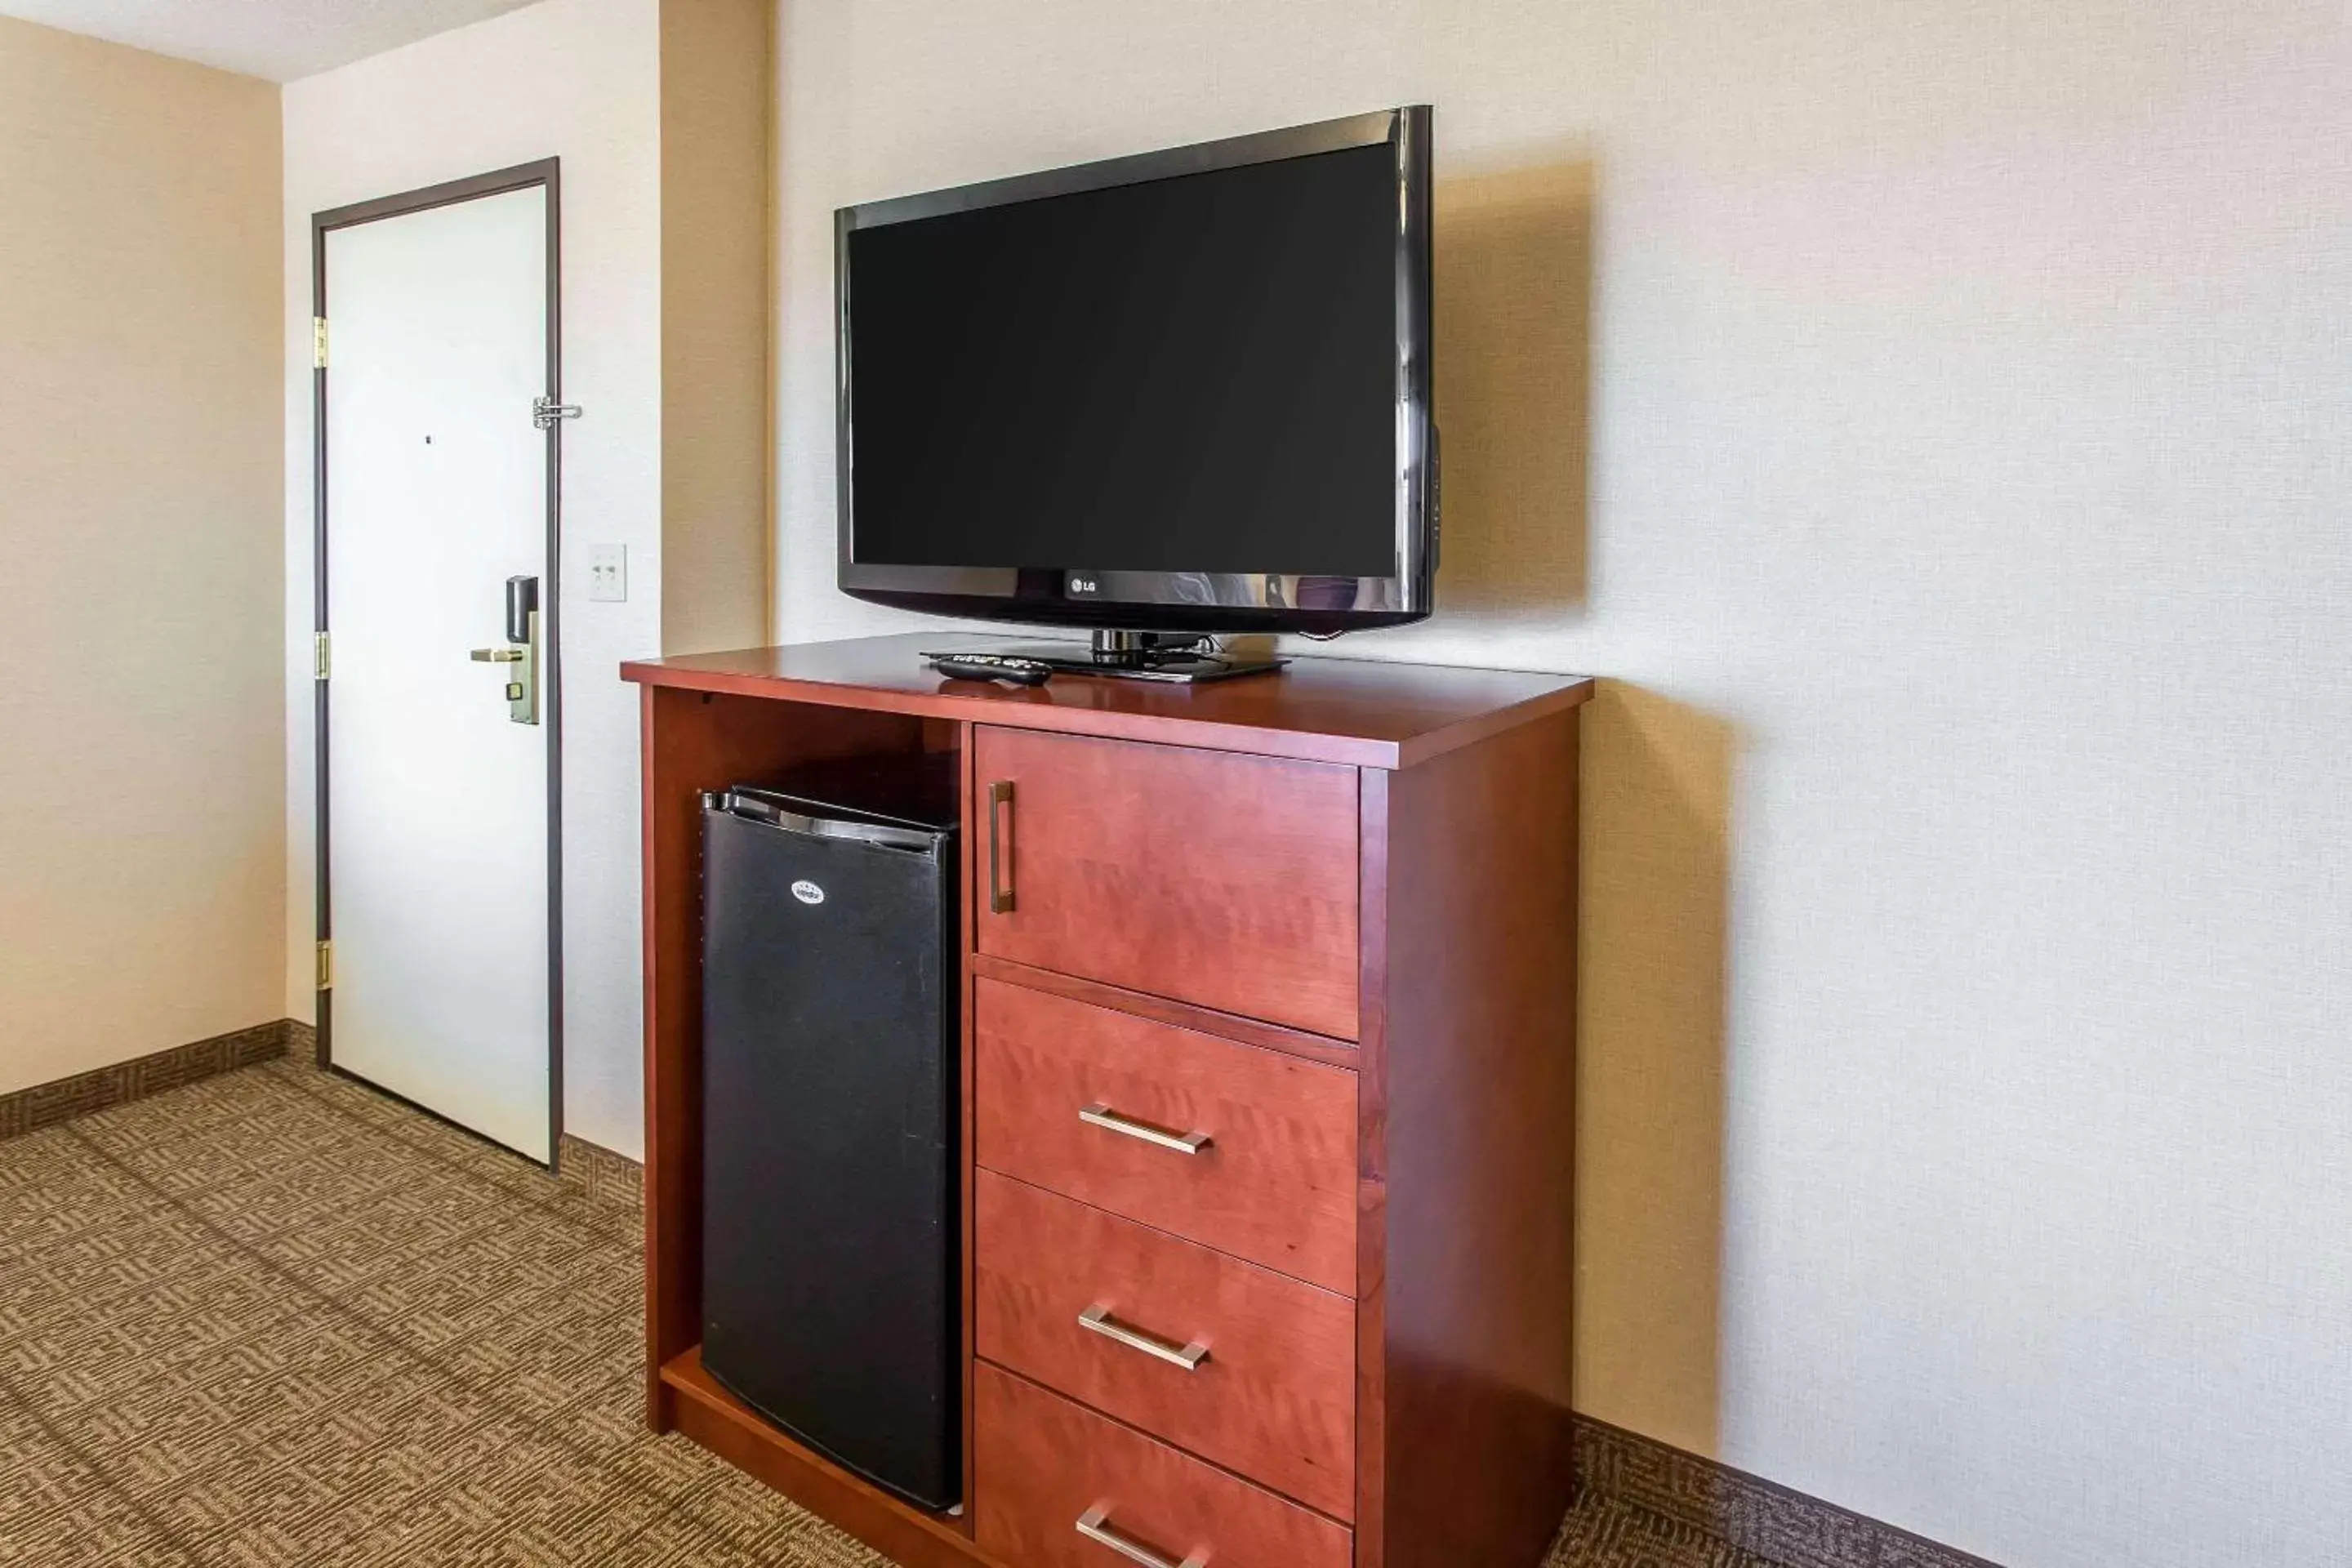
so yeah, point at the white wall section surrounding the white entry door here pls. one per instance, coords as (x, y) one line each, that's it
(577, 81)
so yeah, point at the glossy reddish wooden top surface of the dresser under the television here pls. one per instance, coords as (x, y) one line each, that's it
(1356, 711)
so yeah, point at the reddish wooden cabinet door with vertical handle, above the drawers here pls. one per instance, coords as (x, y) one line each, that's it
(1212, 878)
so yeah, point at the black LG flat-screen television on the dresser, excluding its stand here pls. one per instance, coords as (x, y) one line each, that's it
(1184, 391)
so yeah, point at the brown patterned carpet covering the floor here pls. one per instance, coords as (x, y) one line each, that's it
(276, 1320)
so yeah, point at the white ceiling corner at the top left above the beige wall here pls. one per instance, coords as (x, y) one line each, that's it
(272, 39)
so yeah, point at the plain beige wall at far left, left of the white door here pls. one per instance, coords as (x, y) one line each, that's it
(142, 805)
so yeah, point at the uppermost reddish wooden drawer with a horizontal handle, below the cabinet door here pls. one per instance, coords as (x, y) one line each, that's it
(1085, 1101)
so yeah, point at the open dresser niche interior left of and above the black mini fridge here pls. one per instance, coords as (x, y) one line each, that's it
(697, 742)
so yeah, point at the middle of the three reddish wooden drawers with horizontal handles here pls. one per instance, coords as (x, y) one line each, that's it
(1238, 1365)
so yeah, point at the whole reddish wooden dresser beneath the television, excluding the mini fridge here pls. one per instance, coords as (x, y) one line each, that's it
(1269, 1057)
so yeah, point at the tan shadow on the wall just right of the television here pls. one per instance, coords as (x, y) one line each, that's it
(1514, 368)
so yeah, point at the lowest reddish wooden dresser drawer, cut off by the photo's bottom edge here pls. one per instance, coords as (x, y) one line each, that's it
(1043, 1468)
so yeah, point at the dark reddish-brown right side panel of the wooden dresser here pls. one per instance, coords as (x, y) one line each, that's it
(1476, 1078)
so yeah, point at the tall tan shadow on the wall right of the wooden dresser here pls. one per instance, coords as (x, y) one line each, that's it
(1650, 1078)
